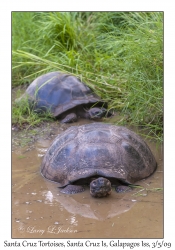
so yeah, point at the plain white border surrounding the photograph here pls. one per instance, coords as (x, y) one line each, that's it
(5, 94)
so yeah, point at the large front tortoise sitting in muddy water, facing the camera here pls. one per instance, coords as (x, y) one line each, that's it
(98, 154)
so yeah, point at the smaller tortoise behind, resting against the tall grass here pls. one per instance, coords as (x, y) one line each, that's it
(66, 97)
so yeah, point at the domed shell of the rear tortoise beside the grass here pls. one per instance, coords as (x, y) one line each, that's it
(58, 92)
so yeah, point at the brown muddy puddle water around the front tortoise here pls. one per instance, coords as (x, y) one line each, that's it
(39, 210)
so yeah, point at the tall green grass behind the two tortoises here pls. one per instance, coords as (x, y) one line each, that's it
(118, 54)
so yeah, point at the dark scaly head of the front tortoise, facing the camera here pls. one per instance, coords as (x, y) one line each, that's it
(100, 187)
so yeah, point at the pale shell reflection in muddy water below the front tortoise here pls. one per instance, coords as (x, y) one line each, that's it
(84, 205)
